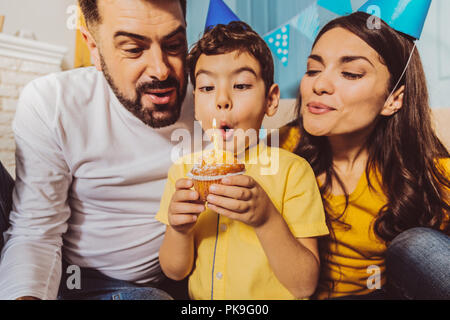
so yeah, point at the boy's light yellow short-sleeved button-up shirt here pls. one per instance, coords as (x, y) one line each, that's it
(230, 262)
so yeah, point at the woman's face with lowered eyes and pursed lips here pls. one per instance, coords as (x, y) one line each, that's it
(345, 86)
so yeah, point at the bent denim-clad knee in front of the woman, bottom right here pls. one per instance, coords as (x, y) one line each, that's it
(418, 265)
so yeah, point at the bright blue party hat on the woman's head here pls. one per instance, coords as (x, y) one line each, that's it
(407, 16)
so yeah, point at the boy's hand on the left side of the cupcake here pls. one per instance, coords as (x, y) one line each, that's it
(183, 209)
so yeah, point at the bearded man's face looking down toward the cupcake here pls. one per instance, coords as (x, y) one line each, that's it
(142, 51)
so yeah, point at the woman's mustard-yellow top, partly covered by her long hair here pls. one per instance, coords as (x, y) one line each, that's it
(356, 259)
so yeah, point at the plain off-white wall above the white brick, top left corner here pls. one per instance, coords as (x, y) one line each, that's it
(47, 19)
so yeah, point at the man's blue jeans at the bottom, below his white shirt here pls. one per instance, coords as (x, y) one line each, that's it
(94, 285)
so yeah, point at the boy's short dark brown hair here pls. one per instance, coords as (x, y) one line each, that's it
(224, 39)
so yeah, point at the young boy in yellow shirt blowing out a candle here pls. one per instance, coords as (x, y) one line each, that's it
(257, 237)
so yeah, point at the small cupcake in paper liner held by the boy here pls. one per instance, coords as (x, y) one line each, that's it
(211, 168)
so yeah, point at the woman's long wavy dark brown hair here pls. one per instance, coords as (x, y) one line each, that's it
(403, 148)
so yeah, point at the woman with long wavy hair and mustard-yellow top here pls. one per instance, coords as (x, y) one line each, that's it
(365, 128)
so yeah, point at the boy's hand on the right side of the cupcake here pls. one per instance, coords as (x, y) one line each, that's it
(241, 198)
